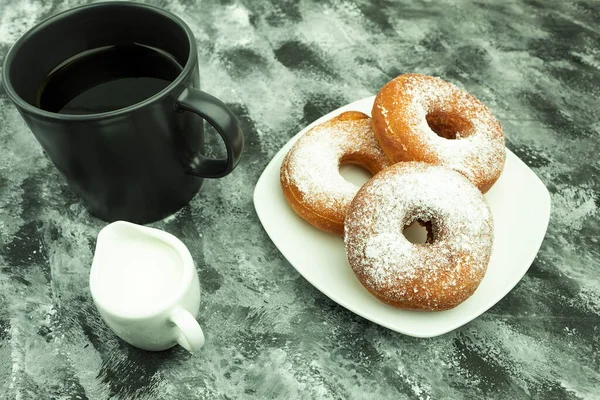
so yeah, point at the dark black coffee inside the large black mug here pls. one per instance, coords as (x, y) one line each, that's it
(107, 79)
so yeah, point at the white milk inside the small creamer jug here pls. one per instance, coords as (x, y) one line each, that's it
(139, 274)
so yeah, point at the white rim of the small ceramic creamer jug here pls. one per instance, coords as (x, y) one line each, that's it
(187, 278)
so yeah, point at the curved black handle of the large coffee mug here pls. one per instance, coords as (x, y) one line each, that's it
(224, 121)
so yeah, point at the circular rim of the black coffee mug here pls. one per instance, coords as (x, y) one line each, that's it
(19, 102)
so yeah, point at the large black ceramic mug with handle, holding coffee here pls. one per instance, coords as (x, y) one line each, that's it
(139, 163)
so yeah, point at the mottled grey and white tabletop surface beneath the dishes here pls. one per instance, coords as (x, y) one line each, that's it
(270, 334)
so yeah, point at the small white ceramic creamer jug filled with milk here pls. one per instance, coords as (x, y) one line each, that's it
(145, 286)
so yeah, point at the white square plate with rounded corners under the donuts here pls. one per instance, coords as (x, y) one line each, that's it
(518, 199)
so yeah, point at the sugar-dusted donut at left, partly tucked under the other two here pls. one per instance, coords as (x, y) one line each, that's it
(310, 175)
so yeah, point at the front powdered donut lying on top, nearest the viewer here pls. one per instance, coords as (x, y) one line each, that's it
(434, 276)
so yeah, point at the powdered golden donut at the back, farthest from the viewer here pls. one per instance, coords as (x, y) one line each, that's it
(410, 109)
